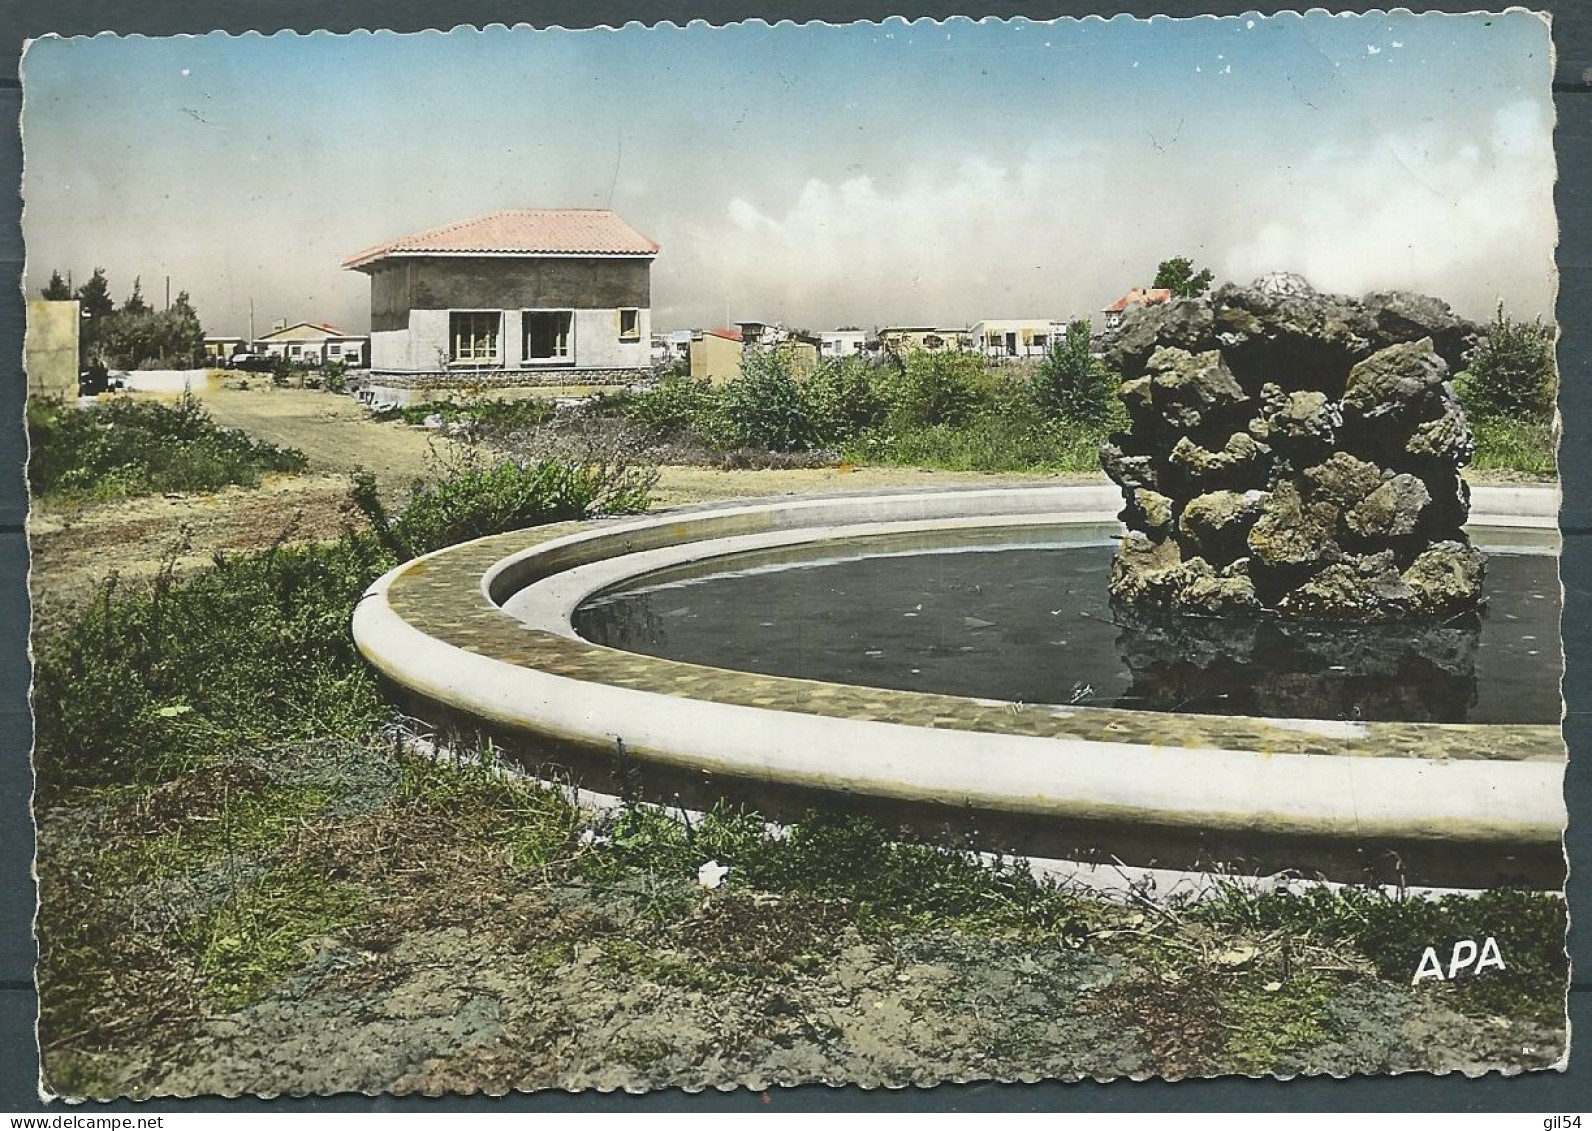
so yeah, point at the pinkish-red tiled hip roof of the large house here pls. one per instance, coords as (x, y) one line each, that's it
(520, 232)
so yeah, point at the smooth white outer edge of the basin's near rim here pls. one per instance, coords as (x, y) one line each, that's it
(1048, 777)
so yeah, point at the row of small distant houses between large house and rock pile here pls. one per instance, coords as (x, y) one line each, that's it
(716, 354)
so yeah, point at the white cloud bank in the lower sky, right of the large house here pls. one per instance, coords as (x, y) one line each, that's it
(1059, 232)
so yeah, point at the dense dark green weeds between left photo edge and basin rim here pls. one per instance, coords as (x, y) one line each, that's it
(162, 679)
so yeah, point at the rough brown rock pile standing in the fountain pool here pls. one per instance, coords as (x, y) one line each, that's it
(1293, 455)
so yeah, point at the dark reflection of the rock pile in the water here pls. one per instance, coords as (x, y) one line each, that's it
(1282, 670)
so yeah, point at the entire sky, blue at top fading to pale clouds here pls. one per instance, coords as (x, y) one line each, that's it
(813, 174)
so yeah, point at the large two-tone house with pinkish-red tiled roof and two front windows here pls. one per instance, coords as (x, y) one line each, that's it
(526, 297)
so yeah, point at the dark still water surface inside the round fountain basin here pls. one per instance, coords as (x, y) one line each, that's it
(1024, 616)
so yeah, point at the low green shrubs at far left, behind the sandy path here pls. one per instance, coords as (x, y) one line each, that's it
(138, 448)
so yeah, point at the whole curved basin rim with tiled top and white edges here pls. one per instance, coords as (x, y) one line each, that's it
(435, 628)
